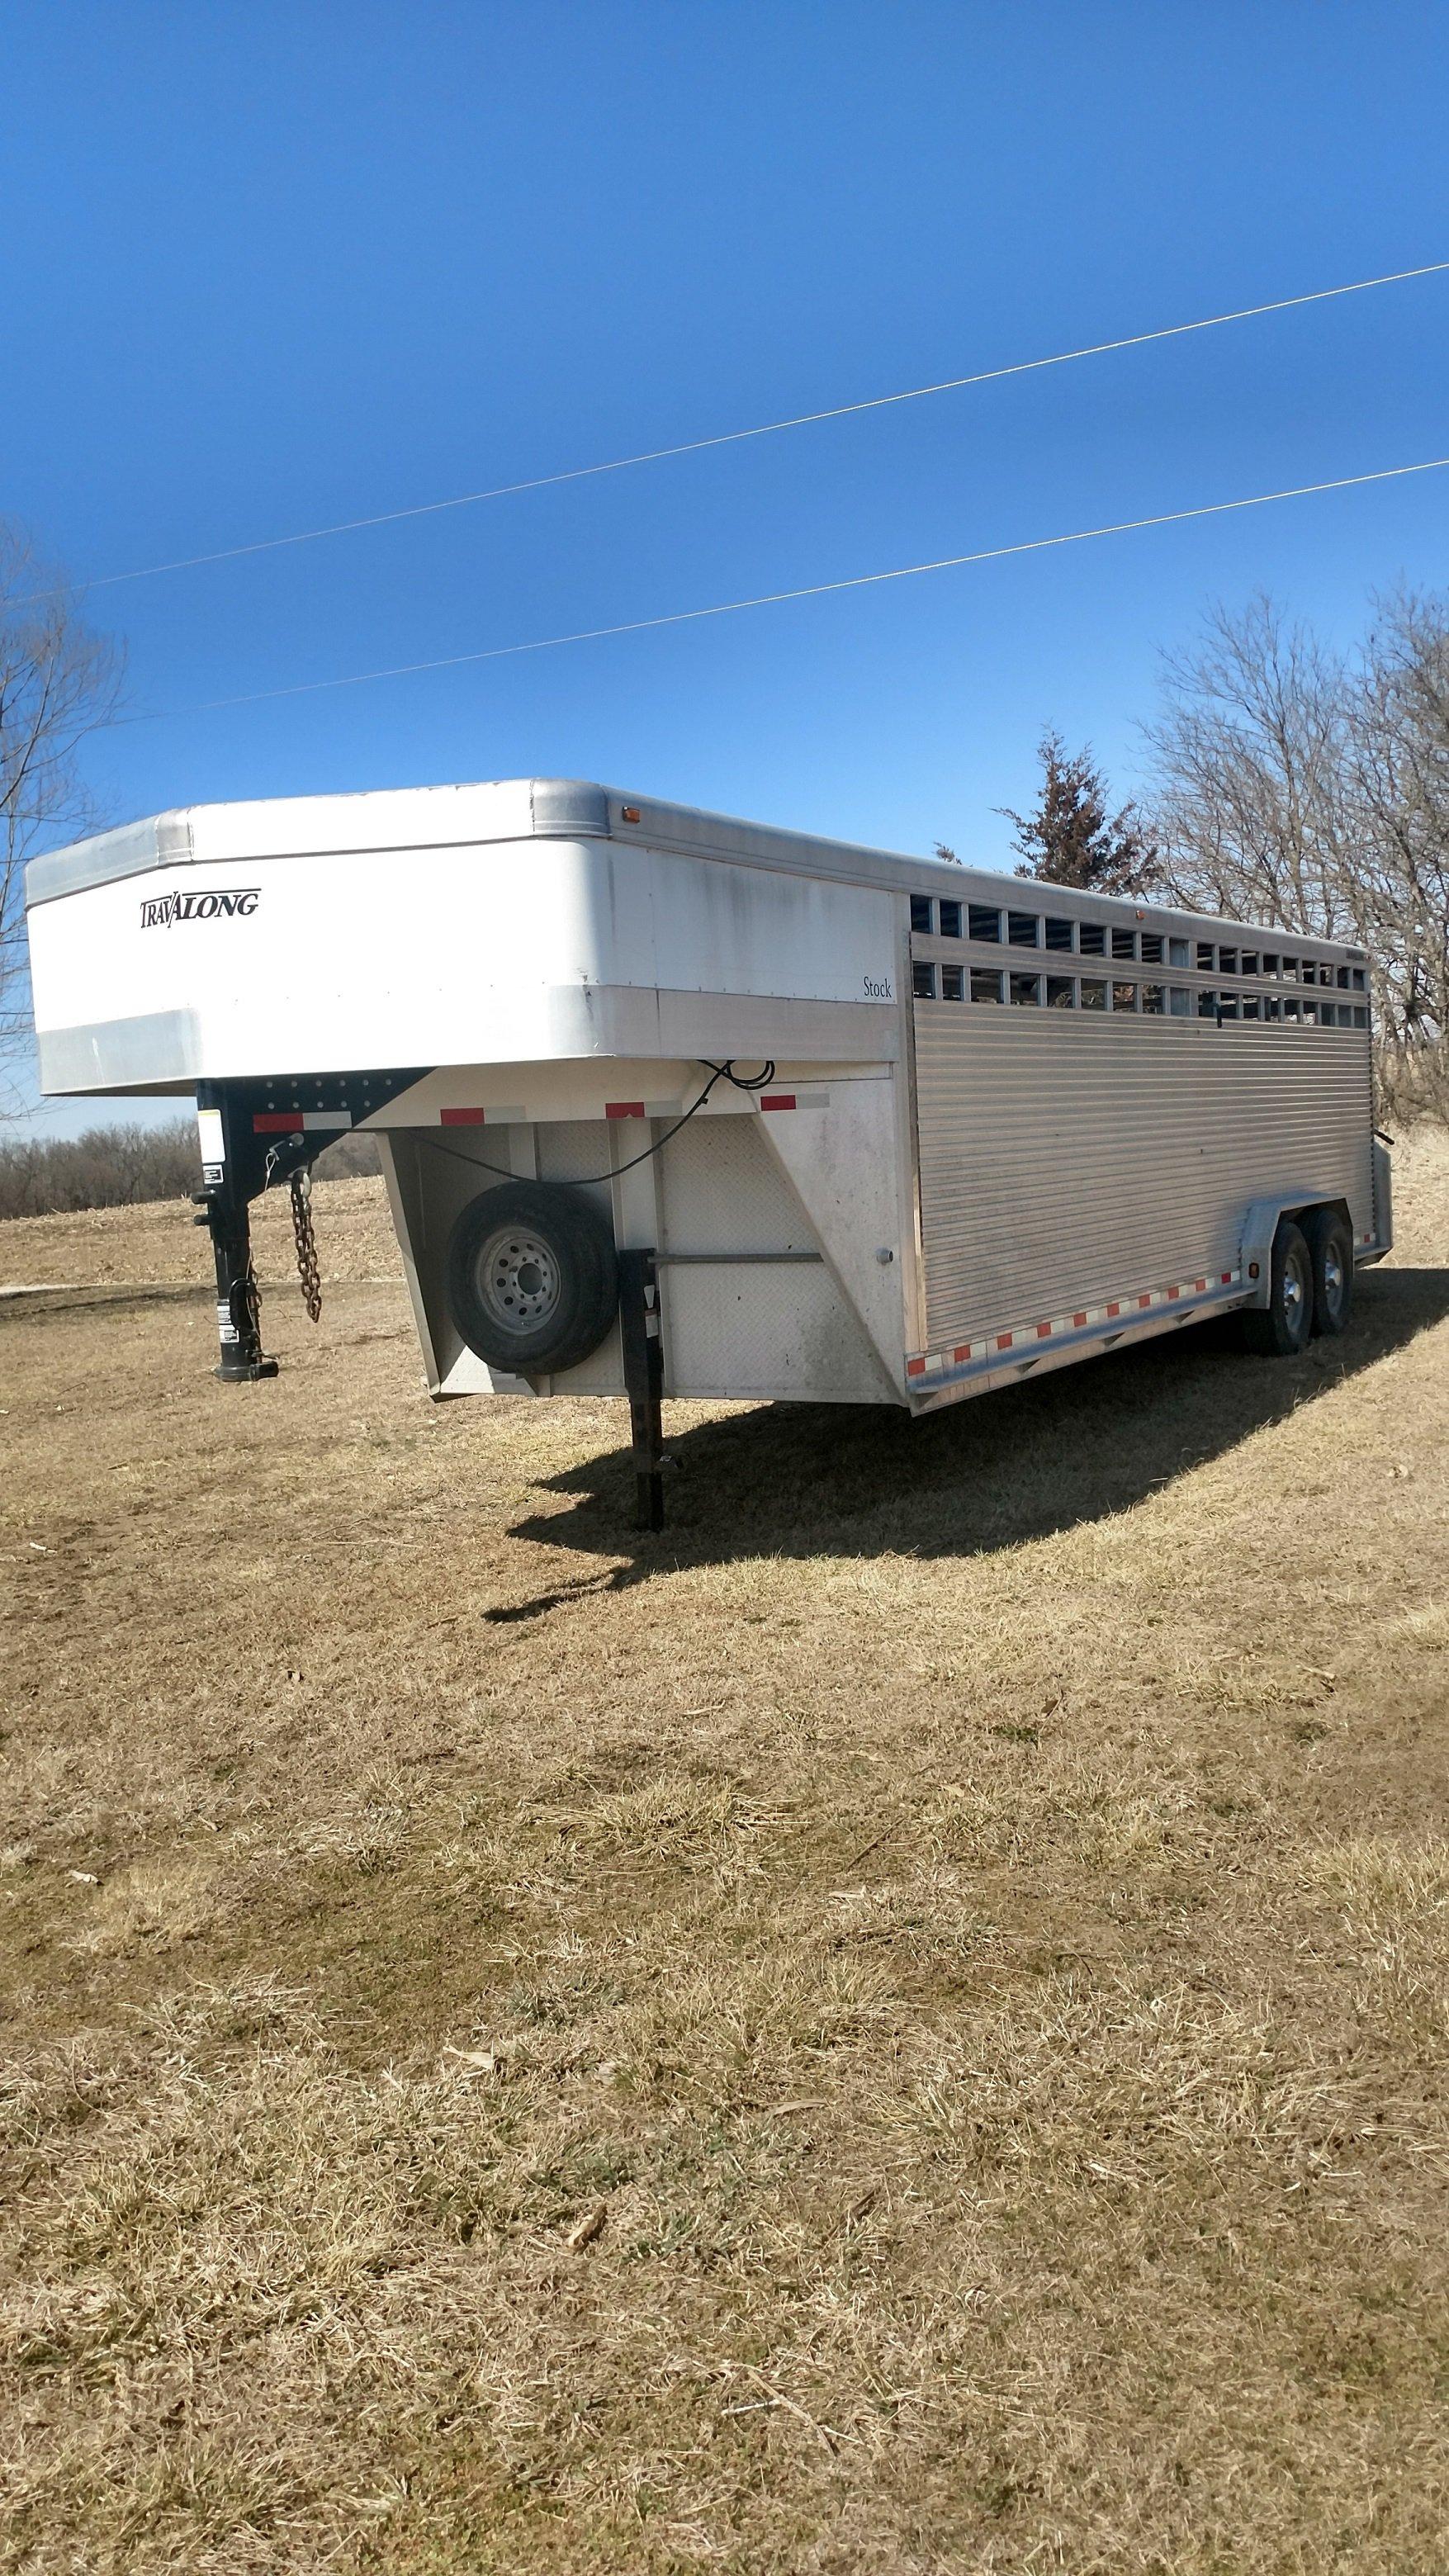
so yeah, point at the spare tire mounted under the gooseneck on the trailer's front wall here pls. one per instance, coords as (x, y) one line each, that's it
(532, 1279)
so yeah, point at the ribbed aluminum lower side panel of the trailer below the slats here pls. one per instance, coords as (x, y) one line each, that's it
(1069, 1160)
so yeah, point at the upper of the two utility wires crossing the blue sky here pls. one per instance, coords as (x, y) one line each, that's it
(764, 429)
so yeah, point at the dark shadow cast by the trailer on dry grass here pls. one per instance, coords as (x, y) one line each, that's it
(1030, 1462)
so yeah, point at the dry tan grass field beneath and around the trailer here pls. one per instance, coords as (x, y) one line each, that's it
(899, 2026)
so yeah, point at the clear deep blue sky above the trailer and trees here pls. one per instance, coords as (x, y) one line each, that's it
(277, 267)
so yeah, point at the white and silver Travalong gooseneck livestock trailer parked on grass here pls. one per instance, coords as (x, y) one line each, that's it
(674, 1104)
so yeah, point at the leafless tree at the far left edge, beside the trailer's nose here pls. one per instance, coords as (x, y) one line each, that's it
(58, 681)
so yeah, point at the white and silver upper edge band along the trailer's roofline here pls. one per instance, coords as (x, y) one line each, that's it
(507, 810)
